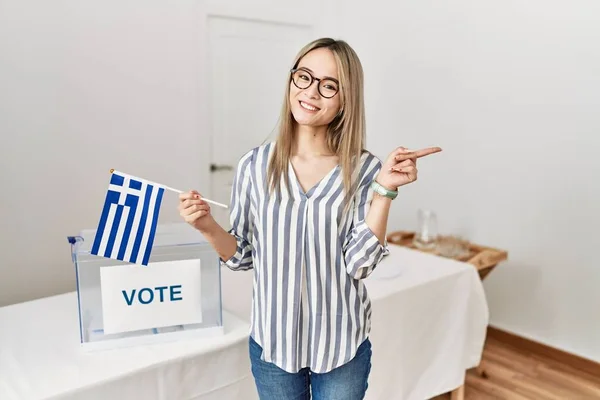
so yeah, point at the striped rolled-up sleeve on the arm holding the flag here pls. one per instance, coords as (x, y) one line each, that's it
(241, 217)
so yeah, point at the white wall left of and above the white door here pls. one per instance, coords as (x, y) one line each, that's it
(89, 86)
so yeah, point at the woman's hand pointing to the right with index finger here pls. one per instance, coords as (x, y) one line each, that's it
(400, 167)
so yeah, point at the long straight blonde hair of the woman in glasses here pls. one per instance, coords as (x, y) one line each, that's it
(345, 133)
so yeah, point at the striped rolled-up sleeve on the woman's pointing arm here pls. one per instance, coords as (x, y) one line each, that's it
(362, 249)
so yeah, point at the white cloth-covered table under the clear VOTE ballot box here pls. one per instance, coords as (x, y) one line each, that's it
(40, 358)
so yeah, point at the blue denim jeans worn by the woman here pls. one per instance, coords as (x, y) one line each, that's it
(348, 382)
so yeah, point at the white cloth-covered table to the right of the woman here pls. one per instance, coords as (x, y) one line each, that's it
(429, 324)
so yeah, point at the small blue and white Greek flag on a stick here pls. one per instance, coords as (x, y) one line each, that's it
(129, 217)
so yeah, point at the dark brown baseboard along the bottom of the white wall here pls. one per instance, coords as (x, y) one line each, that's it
(525, 344)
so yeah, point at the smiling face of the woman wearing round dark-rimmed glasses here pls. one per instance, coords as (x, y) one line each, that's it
(308, 106)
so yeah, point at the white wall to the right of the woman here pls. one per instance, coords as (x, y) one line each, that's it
(511, 91)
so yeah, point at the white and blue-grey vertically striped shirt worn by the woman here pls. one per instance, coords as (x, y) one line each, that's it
(310, 306)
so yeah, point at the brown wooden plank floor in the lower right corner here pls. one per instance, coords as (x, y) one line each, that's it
(513, 373)
